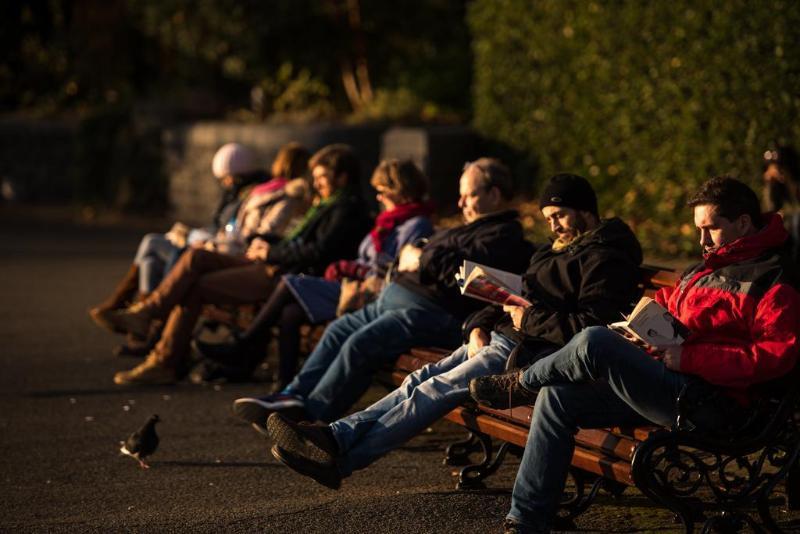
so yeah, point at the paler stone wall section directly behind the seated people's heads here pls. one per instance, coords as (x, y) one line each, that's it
(439, 151)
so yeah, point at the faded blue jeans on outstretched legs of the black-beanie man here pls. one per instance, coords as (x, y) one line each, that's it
(425, 396)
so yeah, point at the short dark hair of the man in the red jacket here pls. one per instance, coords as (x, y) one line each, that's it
(731, 197)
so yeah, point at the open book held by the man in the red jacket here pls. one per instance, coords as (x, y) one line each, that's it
(653, 324)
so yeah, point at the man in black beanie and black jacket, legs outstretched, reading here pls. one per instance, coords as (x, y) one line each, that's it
(587, 276)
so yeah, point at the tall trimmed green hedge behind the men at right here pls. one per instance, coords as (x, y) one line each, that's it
(647, 99)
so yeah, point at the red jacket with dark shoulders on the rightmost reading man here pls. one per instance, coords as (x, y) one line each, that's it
(743, 315)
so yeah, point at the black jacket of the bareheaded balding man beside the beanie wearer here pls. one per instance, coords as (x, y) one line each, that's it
(495, 240)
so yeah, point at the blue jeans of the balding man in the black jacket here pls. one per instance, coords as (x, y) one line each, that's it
(355, 346)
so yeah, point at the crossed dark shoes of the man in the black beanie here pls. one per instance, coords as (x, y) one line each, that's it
(309, 449)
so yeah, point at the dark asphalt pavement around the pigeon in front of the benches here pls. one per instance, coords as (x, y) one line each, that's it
(62, 418)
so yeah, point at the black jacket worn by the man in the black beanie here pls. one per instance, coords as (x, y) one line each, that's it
(588, 283)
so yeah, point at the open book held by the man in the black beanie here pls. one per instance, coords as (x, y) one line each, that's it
(491, 285)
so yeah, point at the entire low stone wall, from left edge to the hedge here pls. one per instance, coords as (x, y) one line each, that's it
(119, 163)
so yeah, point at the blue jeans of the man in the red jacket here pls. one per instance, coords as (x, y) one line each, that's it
(597, 380)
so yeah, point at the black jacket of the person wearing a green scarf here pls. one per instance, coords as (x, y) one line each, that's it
(333, 234)
